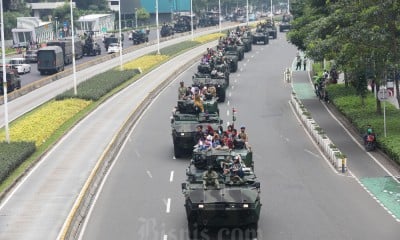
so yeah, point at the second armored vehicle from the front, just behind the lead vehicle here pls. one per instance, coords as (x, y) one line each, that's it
(184, 121)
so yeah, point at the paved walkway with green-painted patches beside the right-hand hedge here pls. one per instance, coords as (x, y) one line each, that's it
(374, 176)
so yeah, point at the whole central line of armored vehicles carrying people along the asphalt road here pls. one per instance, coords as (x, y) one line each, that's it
(221, 189)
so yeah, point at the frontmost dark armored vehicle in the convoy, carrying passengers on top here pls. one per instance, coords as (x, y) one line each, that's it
(221, 191)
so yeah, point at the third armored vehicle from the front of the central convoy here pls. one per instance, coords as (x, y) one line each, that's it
(218, 80)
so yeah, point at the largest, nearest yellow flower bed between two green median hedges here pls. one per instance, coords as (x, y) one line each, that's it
(40, 124)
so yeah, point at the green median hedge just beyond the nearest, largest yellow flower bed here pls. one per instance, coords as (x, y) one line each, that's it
(99, 85)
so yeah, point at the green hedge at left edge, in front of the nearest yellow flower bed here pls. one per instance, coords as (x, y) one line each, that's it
(12, 155)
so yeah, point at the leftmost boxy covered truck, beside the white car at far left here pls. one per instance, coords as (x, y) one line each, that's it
(50, 60)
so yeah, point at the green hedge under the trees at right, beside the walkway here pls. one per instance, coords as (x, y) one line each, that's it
(350, 105)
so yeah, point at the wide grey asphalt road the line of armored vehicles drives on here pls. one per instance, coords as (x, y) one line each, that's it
(303, 196)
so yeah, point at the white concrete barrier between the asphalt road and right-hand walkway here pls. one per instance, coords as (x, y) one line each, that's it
(331, 152)
